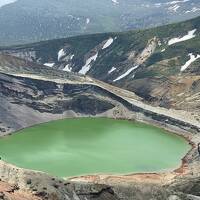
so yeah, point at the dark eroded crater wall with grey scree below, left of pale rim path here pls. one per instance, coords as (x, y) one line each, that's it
(25, 101)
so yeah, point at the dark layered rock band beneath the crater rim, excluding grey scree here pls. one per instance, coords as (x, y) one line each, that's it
(49, 97)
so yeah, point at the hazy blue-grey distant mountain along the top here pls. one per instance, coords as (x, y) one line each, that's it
(27, 20)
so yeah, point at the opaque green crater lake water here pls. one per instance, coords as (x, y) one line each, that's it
(83, 146)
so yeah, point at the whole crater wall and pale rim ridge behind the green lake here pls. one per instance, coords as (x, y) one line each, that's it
(32, 93)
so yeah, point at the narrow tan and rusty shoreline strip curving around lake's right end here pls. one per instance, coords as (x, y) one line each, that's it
(181, 170)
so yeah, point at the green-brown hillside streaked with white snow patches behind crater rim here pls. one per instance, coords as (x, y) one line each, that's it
(167, 58)
